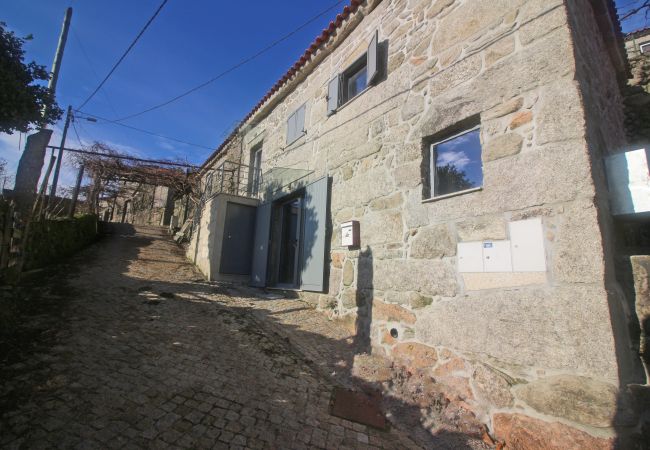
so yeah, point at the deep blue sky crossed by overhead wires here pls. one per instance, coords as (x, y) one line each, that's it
(188, 43)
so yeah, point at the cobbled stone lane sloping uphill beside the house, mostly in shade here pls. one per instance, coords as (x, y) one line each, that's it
(132, 349)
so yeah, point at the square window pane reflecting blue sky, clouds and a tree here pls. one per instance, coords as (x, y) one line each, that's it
(458, 165)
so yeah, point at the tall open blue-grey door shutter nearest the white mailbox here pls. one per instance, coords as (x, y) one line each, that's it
(314, 237)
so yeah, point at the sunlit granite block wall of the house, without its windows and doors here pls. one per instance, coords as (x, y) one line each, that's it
(515, 351)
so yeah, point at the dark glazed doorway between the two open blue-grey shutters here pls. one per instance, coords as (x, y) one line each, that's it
(287, 224)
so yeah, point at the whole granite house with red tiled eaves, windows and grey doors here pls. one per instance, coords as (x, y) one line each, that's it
(431, 172)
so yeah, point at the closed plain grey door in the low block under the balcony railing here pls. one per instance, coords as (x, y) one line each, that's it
(238, 234)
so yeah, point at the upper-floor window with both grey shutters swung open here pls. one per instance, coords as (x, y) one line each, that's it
(353, 80)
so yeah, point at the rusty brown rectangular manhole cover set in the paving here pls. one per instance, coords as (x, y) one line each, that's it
(359, 407)
